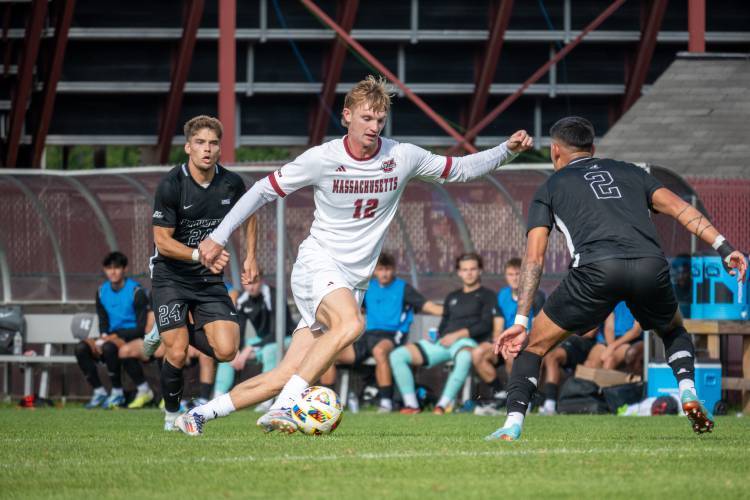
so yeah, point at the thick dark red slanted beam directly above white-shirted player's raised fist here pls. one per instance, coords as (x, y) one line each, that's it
(489, 63)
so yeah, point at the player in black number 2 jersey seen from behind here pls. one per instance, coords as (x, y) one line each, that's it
(603, 208)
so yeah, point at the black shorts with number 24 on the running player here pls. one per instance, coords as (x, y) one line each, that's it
(206, 301)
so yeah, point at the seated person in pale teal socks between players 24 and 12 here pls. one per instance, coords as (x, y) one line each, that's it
(257, 304)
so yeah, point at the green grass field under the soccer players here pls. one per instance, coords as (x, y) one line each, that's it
(74, 453)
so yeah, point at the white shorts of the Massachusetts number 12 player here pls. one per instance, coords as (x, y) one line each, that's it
(314, 276)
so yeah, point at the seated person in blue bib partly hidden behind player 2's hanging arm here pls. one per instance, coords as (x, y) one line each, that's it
(484, 359)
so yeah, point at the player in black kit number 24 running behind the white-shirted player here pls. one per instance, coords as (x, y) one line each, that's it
(191, 200)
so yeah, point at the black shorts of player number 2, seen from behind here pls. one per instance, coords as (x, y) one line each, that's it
(587, 295)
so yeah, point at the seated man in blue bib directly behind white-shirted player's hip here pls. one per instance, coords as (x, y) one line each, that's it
(389, 304)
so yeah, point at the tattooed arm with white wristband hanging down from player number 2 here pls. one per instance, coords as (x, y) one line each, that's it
(511, 341)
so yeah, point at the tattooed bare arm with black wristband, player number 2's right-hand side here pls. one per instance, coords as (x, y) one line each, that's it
(666, 202)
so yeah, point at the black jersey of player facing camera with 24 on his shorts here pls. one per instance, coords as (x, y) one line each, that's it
(194, 212)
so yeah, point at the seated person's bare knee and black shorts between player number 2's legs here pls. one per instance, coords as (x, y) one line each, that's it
(570, 353)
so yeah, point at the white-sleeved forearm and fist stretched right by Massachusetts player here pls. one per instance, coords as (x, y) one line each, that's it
(466, 168)
